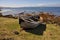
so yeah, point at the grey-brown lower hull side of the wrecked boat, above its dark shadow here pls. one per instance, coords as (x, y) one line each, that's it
(29, 24)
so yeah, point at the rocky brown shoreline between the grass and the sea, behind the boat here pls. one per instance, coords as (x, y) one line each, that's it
(47, 17)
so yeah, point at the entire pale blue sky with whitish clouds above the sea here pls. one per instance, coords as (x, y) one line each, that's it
(30, 3)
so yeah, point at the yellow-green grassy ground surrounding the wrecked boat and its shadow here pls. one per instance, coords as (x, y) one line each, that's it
(8, 26)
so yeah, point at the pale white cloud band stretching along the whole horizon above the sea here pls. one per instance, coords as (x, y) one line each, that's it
(31, 5)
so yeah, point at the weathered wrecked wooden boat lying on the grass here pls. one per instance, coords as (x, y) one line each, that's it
(28, 21)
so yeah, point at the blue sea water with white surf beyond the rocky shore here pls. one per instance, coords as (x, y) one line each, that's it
(53, 10)
